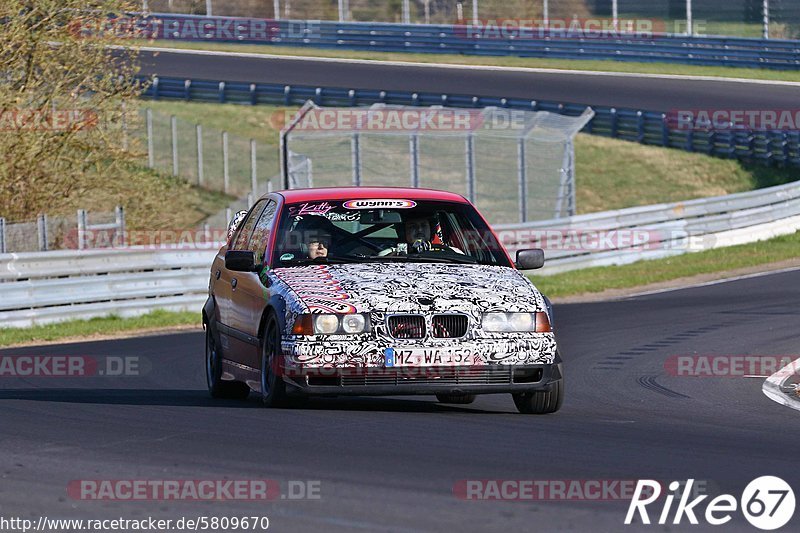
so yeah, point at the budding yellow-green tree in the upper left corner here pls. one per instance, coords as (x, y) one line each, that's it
(63, 94)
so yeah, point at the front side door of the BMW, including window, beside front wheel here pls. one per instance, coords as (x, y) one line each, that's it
(250, 295)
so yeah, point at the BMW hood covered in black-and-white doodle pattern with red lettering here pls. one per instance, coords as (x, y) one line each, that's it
(406, 287)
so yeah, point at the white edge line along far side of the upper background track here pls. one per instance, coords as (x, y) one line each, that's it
(469, 67)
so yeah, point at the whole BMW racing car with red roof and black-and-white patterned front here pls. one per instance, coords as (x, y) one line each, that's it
(376, 291)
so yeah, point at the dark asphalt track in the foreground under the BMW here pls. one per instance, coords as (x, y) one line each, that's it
(390, 464)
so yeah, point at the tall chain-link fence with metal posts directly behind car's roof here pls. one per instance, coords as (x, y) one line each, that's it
(515, 165)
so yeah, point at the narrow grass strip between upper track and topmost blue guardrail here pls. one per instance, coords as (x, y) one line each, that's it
(526, 62)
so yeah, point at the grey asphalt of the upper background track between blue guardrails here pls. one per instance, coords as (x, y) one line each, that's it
(654, 94)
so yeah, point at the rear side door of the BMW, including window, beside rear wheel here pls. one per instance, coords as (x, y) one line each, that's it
(235, 345)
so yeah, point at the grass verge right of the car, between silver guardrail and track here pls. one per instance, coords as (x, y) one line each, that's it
(594, 280)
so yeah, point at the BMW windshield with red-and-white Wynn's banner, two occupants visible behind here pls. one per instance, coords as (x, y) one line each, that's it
(385, 230)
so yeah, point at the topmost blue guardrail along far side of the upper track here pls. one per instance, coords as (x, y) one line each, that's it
(455, 39)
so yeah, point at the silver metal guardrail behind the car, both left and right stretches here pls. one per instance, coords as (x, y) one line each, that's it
(53, 286)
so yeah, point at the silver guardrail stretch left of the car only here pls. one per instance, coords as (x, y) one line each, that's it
(44, 287)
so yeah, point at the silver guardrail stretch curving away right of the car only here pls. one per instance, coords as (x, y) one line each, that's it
(657, 231)
